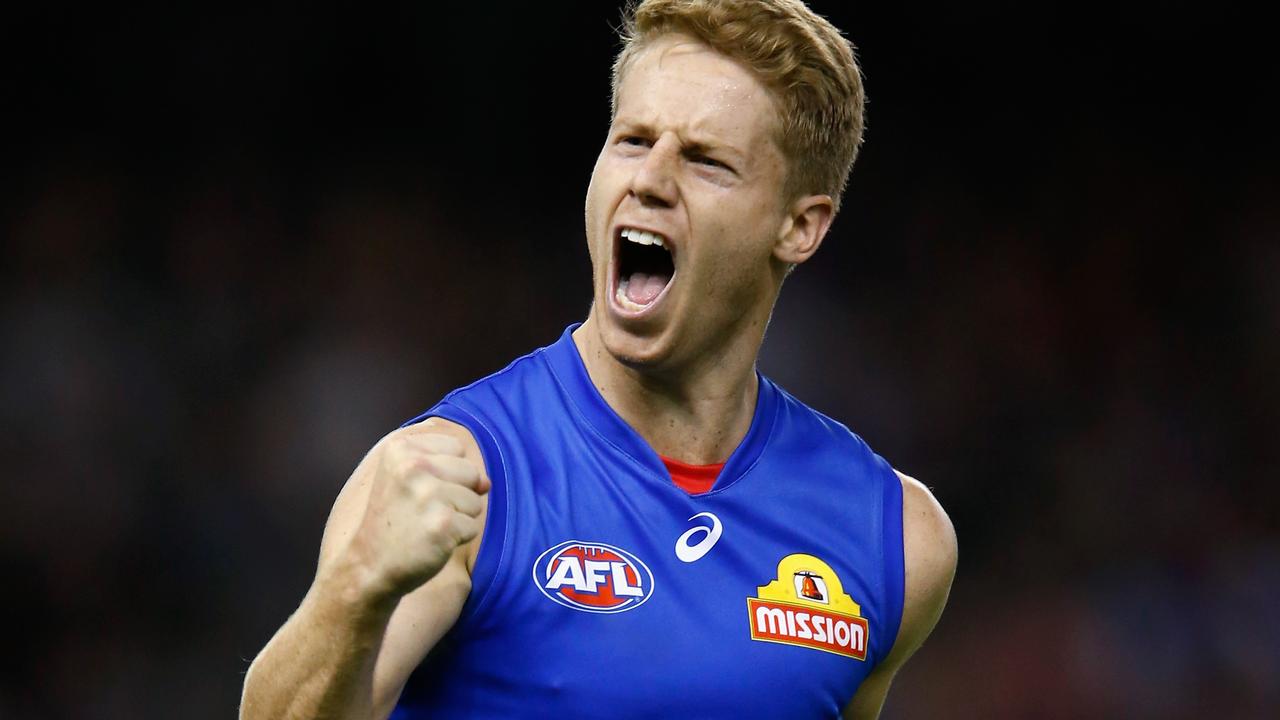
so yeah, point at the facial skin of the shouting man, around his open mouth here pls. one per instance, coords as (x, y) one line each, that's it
(724, 221)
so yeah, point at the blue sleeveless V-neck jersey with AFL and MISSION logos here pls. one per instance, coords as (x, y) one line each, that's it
(604, 590)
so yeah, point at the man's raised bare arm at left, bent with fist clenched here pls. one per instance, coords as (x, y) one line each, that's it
(363, 628)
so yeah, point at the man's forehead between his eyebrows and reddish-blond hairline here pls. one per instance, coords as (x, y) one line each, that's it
(676, 83)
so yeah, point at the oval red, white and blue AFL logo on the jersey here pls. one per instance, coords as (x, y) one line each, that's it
(593, 577)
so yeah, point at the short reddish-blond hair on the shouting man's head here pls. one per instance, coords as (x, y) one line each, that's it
(799, 56)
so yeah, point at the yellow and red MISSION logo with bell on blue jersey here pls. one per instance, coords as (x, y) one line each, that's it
(807, 607)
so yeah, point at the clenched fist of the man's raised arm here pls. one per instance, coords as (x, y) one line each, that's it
(424, 502)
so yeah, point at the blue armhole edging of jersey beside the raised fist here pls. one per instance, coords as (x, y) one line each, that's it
(493, 540)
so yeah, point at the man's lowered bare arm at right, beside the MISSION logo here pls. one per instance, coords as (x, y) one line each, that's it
(930, 555)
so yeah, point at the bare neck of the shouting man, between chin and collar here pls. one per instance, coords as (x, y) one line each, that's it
(698, 413)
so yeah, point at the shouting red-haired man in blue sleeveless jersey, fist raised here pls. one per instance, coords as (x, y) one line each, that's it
(524, 549)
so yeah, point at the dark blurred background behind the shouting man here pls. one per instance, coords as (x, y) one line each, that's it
(240, 245)
